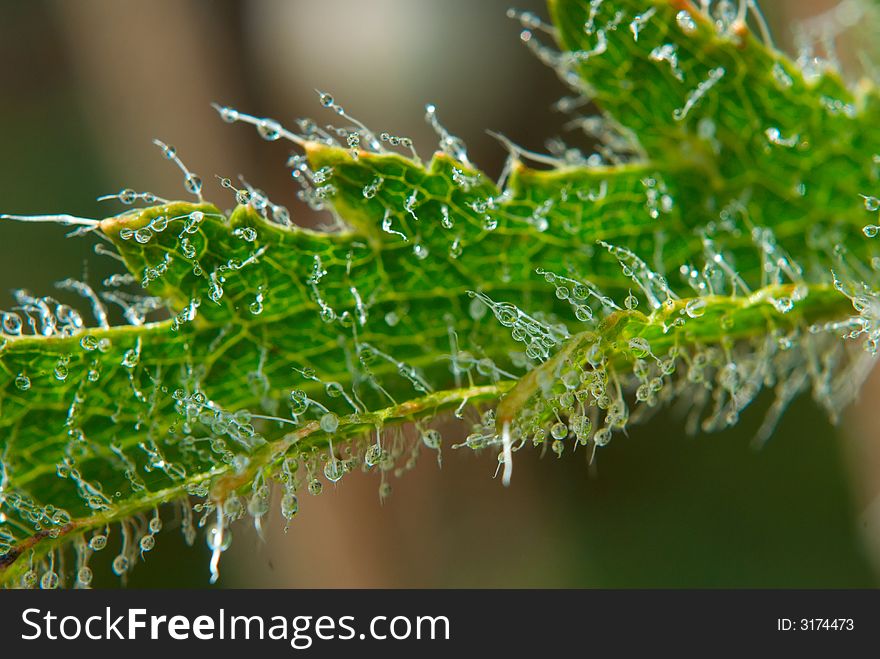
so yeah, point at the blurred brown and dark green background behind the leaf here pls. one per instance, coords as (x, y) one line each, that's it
(86, 84)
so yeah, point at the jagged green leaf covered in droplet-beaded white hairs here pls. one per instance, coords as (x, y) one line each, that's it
(717, 242)
